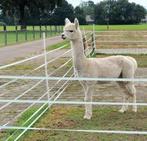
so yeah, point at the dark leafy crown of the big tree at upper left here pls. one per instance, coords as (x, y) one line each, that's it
(23, 10)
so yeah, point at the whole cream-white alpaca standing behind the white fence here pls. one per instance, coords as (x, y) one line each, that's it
(108, 67)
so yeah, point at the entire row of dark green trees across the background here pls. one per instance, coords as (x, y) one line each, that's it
(36, 12)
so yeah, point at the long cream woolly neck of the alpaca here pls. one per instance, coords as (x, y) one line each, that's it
(79, 58)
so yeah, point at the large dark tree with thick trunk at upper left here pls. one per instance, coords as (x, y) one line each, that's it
(21, 8)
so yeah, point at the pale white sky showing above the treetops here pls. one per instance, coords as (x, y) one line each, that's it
(77, 2)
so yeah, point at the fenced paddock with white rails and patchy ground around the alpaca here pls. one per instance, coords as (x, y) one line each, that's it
(41, 99)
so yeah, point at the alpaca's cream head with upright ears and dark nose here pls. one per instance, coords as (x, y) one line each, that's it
(71, 30)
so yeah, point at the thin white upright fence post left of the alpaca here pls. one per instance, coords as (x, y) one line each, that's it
(46, 66)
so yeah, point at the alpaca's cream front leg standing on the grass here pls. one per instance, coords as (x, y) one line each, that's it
(88, 107)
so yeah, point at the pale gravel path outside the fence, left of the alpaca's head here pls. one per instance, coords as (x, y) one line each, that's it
(13, 52)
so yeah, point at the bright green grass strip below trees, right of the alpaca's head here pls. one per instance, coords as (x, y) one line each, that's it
(116, 27)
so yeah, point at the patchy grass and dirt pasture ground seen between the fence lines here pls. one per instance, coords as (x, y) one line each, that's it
(71, 116)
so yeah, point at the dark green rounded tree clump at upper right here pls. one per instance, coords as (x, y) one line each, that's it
(118, 12)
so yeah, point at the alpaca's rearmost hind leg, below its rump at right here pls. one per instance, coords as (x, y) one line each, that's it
(132, 91)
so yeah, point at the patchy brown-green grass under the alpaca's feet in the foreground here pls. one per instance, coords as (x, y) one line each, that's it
(104, 118)
